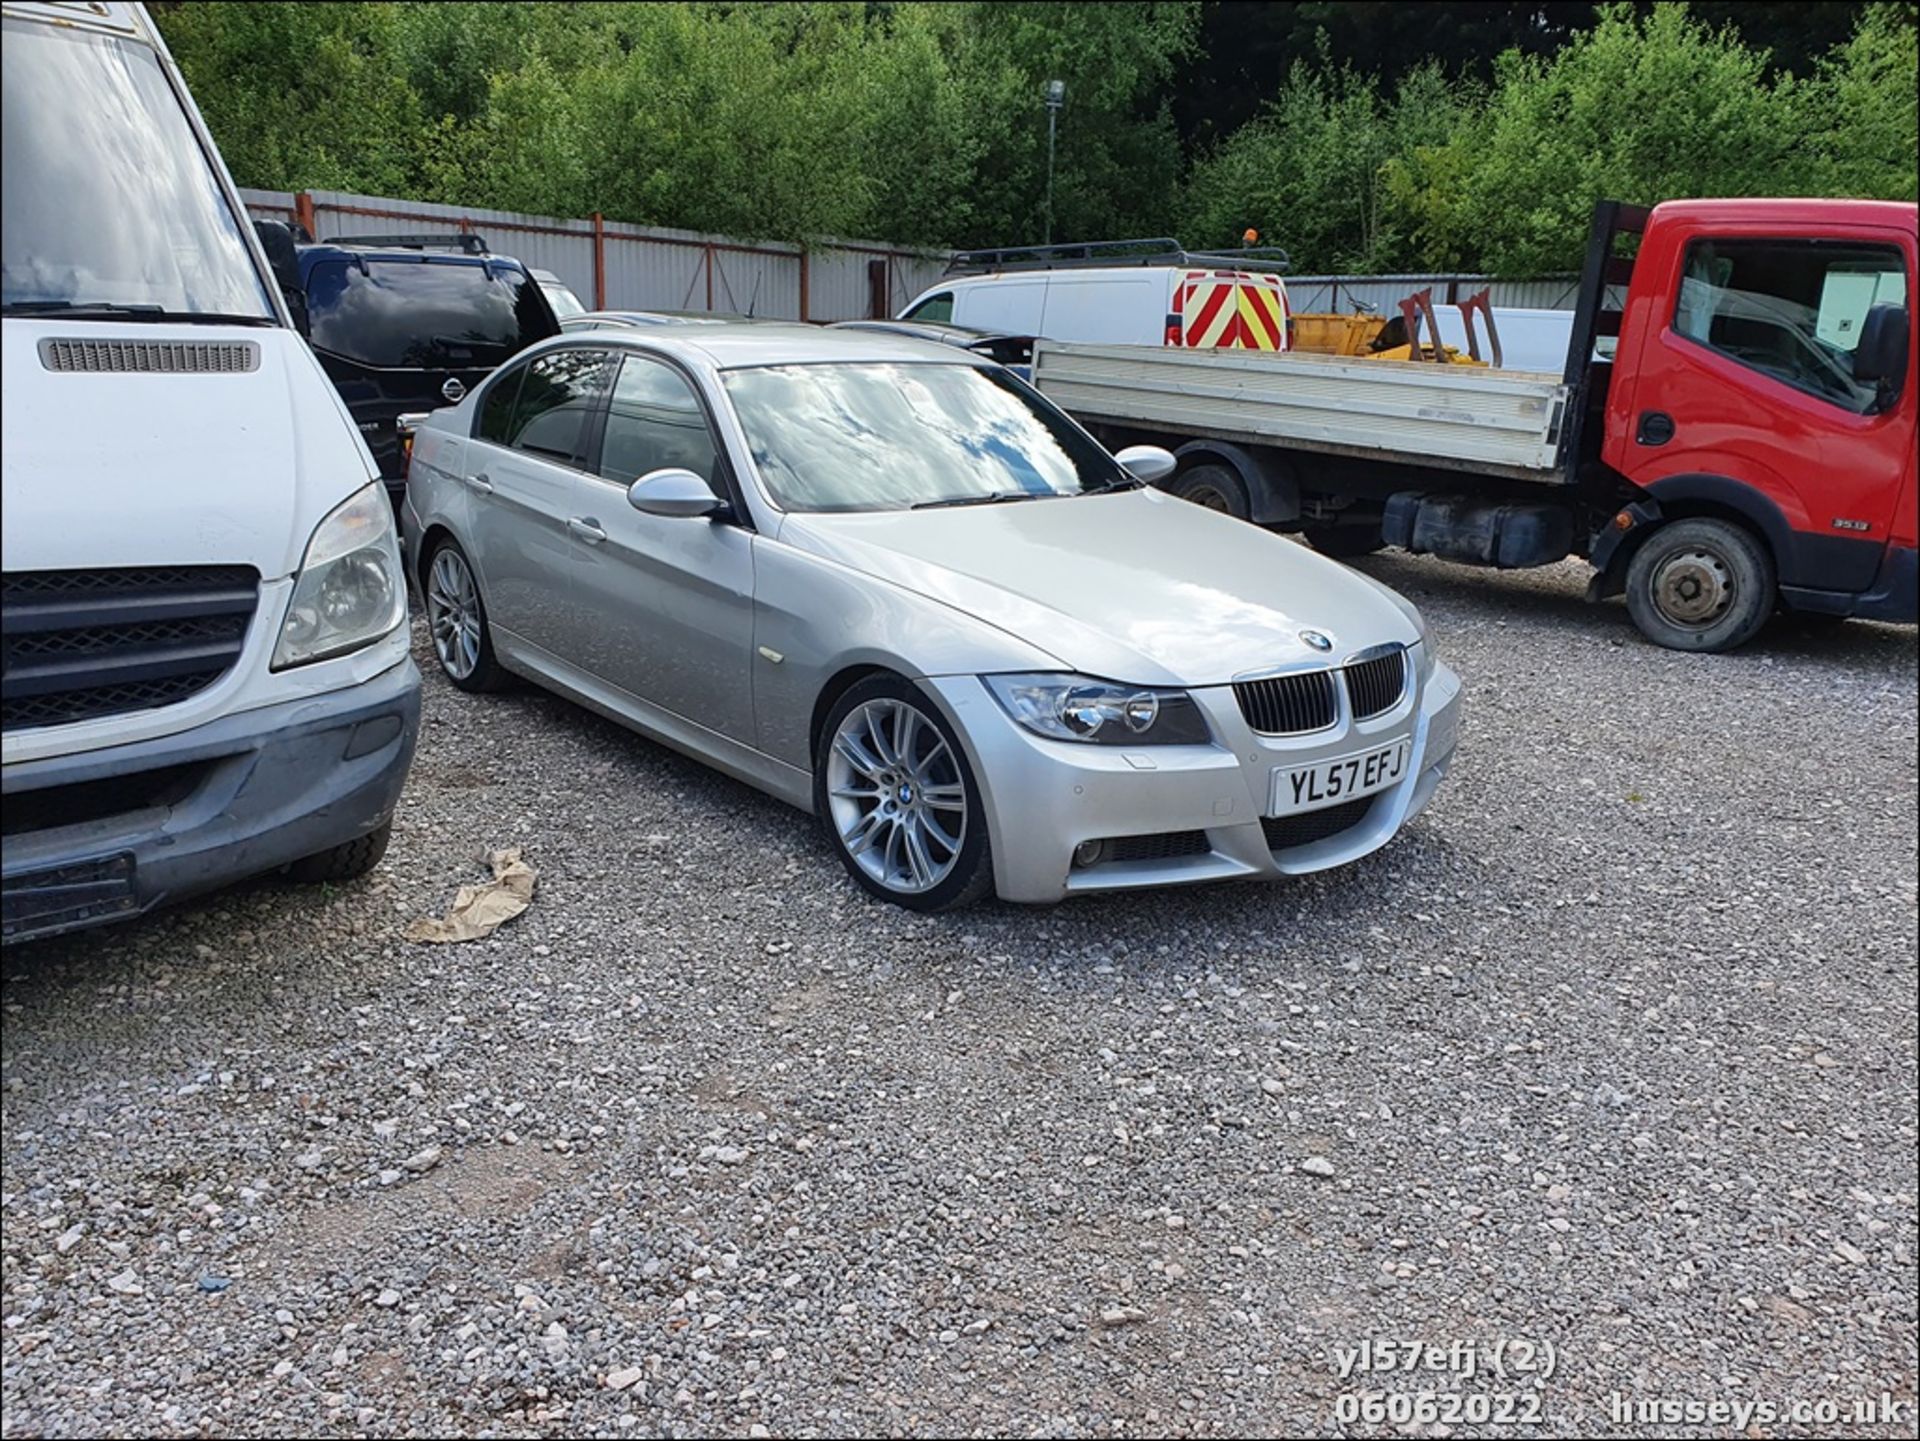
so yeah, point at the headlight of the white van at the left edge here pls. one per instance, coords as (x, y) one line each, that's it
(350, 588)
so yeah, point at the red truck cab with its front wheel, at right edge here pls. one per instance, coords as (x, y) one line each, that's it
(1762, 410)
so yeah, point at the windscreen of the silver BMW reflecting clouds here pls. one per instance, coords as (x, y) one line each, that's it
(888, 437)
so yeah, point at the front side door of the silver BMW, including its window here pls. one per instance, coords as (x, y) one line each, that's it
(665, 603)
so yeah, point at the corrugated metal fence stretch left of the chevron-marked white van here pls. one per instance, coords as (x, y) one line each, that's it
(635, 268)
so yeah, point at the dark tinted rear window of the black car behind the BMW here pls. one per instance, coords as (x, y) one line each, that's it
(425, 316)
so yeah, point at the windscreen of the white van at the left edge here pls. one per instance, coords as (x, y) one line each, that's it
(107, 199)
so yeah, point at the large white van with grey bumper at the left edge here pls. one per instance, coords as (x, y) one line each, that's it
(204, 615)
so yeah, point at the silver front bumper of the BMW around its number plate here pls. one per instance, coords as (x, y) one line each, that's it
(1047, 797)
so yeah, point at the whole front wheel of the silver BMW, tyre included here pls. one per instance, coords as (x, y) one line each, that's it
(900, 801)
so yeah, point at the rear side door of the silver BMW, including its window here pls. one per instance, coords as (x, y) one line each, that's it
(523, 471)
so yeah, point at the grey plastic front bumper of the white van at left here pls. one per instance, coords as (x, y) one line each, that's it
(103, 836)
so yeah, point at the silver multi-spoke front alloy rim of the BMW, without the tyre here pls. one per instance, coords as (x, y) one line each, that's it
(896, 795)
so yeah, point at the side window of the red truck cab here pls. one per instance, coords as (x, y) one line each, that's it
(1790, 310)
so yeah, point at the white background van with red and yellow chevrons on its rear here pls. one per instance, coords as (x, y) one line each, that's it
(1195, 306)
